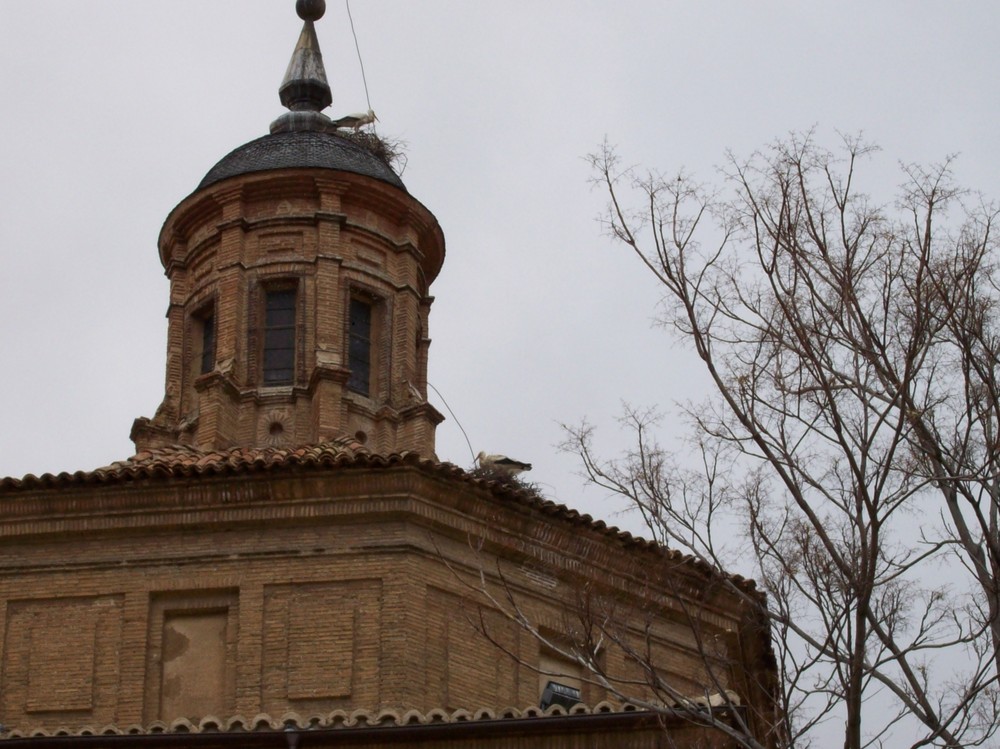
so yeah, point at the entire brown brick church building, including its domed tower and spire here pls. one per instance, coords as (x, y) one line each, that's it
(285, 563)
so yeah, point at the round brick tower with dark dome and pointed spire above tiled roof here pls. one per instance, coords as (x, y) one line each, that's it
(299, 273)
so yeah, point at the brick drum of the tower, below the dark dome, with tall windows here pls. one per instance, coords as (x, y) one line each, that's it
(327, 237)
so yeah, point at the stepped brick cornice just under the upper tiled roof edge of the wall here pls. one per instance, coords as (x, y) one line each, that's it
(439, 497)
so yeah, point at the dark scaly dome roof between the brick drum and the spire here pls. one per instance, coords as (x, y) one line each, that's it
(301, 148)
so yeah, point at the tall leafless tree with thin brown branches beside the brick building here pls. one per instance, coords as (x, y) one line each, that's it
(849, 458)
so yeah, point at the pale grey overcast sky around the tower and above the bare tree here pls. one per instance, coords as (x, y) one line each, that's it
(113, 111)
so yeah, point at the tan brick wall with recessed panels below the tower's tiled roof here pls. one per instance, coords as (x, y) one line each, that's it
(334, 589)
